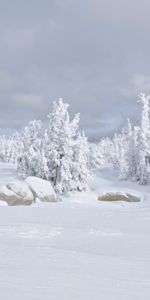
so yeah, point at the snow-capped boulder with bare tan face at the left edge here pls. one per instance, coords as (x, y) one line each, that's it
(16, 193)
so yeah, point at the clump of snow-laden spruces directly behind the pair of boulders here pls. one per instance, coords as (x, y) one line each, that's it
(58, 153)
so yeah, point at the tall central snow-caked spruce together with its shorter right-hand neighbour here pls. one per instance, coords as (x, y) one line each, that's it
(66, 150)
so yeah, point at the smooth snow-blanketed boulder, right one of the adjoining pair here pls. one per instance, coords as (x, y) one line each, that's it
(41, 189)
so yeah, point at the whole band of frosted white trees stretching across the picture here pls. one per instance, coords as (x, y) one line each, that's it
(61, 154)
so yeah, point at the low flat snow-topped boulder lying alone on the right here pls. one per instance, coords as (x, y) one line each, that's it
(117, 196)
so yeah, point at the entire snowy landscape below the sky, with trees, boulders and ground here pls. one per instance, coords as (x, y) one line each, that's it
(75, 215)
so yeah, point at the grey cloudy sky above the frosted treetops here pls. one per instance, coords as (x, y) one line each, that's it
(95, 54)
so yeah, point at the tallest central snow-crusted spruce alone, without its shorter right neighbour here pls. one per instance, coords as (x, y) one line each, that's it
(58, 138)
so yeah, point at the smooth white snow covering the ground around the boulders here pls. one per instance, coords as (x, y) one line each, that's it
(77, 249)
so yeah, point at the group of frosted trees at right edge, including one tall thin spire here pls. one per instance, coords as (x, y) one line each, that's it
(132, 147)
